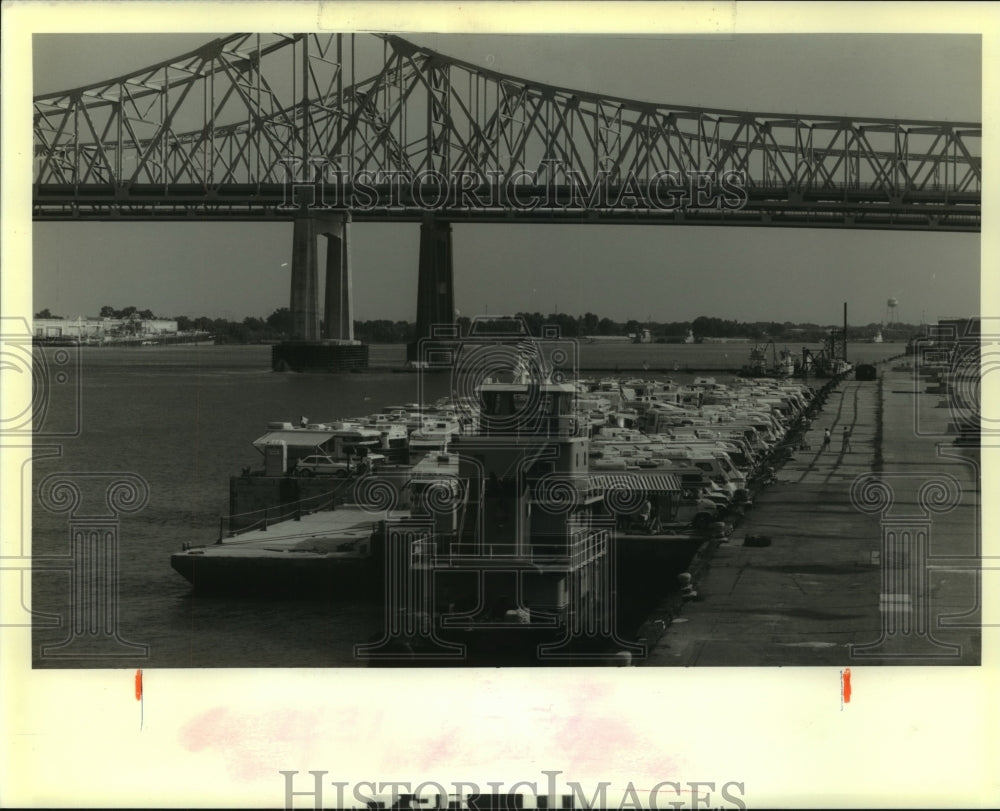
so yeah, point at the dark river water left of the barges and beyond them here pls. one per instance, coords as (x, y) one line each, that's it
(181, 419)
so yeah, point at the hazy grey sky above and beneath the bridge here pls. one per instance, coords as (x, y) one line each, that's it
(657, 272)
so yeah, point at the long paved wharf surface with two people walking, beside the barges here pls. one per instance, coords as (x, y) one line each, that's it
(850, 579)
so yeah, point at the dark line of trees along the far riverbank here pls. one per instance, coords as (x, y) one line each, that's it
(278, 326)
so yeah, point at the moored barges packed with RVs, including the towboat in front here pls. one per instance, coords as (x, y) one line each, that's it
(541, 515)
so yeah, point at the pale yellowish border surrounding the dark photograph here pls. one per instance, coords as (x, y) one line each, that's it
(214, 738)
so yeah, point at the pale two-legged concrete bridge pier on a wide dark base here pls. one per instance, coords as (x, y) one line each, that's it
(306, 350)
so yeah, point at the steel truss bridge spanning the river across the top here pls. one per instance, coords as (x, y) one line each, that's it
(331, 127)
